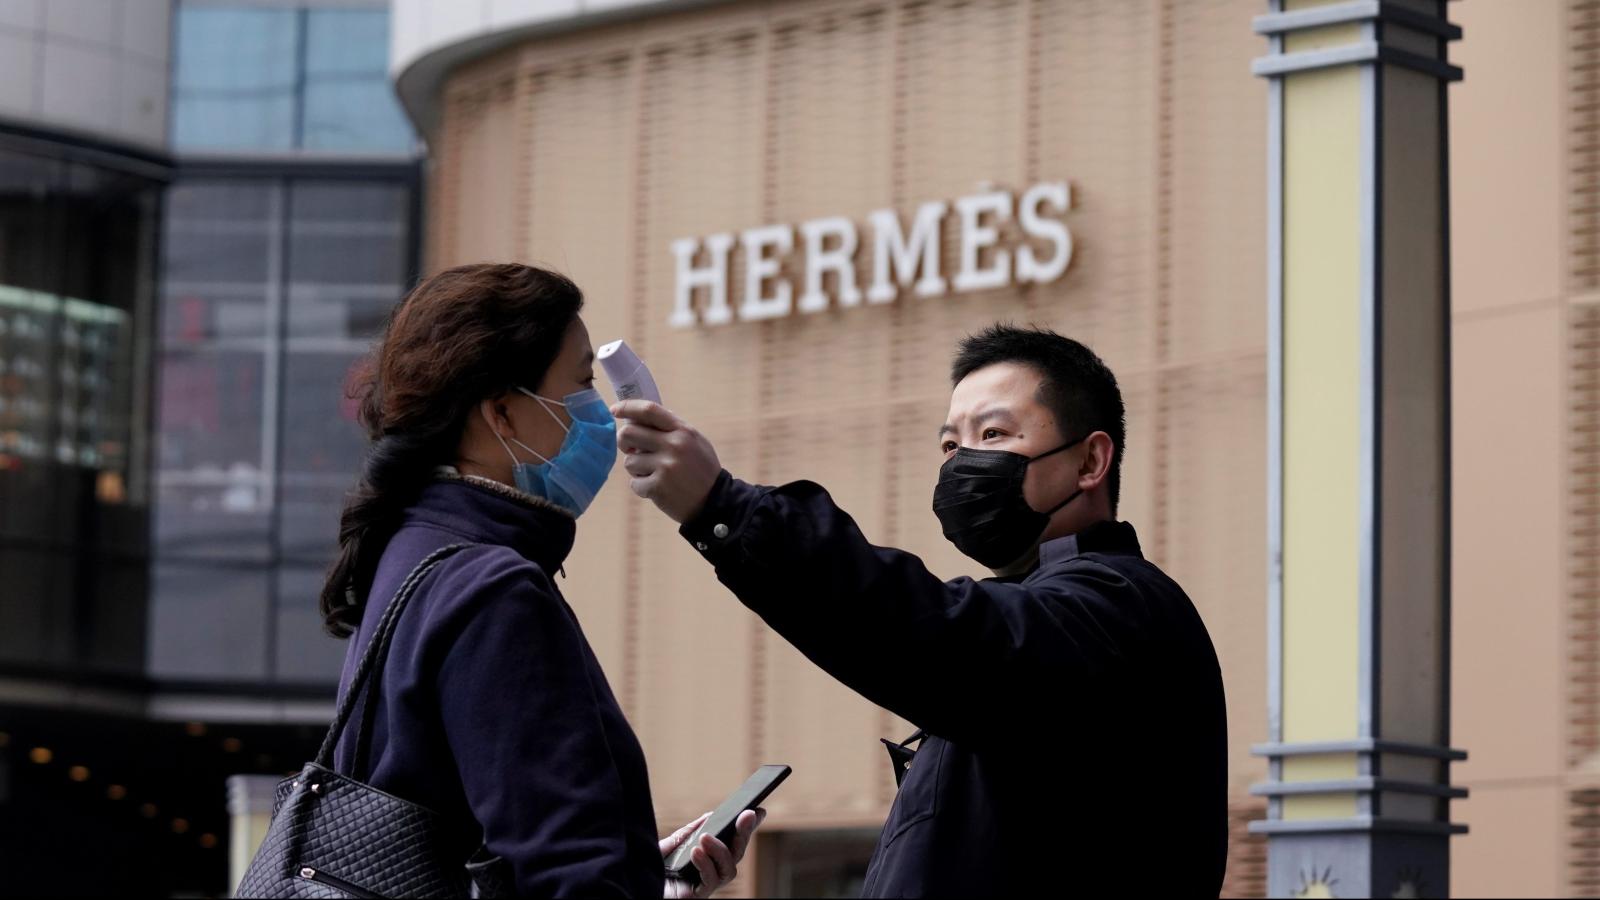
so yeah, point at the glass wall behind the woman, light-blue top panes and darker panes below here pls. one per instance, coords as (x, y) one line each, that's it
(290, 235)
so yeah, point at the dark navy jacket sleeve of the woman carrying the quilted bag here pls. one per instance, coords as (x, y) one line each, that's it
(524, 725)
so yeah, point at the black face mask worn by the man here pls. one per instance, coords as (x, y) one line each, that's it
(982, 508)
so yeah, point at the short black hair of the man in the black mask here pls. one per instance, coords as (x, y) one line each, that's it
(1078, 387)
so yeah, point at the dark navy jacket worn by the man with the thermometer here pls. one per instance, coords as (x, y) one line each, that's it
(1078, 729)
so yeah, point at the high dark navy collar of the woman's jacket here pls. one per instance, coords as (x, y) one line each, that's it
(487, 512)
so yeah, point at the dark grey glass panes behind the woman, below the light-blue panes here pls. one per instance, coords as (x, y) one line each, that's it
(274, 287)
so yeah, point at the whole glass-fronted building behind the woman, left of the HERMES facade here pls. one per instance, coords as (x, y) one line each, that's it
(206, 212)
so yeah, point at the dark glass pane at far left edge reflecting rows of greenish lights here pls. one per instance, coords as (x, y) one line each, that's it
(74, 287)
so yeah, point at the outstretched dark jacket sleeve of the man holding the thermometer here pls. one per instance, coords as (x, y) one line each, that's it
(961, 659)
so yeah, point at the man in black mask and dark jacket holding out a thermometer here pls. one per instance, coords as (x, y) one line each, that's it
(1071, 709)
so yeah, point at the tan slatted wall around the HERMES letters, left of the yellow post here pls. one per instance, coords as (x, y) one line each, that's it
(593, 151)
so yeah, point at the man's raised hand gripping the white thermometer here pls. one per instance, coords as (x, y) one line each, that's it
(671, 464)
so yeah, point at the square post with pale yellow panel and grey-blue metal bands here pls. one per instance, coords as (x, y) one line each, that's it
(1359, 464)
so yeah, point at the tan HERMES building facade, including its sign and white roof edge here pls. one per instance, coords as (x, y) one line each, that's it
(703, 172)
